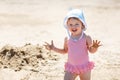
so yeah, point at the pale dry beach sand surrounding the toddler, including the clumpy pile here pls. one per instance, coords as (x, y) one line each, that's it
(26, 24)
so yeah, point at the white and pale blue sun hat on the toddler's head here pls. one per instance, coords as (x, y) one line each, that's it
(77, 13)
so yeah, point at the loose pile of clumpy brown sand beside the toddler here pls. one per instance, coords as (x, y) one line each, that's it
(29, 56)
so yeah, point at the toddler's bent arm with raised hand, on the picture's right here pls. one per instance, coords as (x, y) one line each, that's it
(92, 46)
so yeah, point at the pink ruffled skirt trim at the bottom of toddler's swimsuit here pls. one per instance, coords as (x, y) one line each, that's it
(78, 69)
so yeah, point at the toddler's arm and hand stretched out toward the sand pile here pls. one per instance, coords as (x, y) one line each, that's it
(52, 47)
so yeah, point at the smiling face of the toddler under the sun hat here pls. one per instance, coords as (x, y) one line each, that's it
(75, 26)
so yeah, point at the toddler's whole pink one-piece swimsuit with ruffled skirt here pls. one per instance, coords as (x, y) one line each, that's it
(78, 59)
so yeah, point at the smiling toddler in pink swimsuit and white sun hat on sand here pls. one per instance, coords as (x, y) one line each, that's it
(77, 45)
